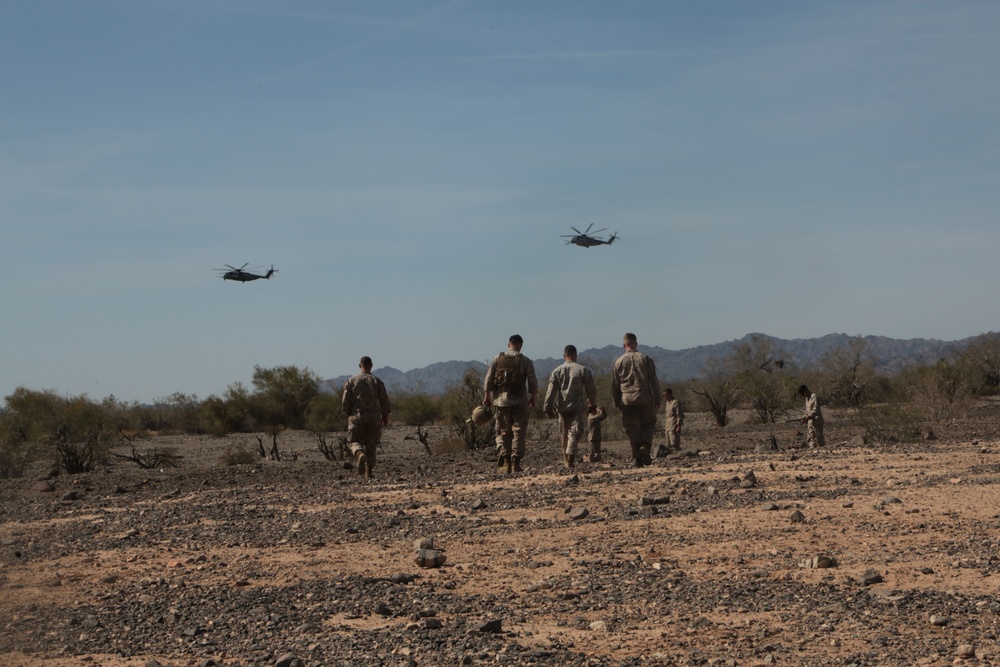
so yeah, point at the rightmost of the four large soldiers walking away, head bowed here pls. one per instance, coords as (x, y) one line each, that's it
(636, 392)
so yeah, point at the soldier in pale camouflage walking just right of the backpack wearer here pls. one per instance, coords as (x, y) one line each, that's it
(571, 392)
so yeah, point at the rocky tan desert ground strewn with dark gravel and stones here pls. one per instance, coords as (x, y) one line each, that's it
(692, 561)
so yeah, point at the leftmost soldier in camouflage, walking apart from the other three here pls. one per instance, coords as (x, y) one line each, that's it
(367, 407)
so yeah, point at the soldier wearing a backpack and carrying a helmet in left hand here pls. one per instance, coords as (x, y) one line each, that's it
(504, 388)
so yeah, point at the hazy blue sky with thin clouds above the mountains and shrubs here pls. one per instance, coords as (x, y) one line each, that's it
(792, 168)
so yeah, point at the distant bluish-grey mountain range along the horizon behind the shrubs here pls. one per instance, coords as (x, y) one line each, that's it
(891, 355)
